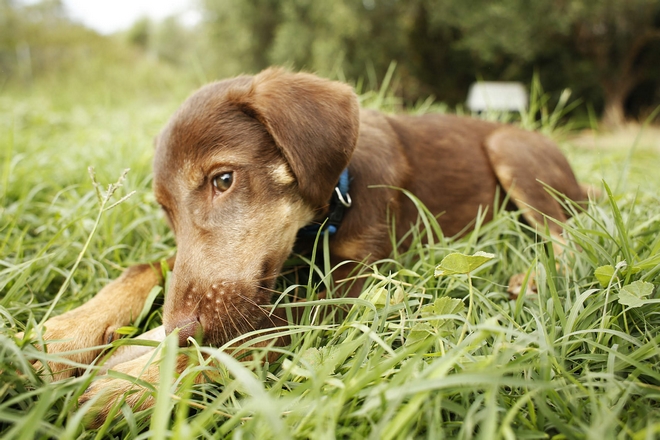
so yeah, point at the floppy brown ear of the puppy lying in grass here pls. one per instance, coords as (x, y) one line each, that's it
(314, 122)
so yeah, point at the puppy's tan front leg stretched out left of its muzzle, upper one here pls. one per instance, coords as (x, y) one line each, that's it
(94, 324)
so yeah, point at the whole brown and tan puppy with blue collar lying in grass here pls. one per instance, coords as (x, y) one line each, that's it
(249, 168)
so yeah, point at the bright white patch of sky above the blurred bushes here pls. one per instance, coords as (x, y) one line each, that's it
(108, 16)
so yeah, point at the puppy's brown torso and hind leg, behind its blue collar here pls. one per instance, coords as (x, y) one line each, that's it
(454, 166)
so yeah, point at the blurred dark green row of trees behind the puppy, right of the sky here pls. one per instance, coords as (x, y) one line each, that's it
(602, 49)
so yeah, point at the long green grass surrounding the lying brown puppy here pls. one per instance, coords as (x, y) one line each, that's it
(573, 361)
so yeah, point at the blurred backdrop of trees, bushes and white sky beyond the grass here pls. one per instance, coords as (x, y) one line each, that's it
(607, 52)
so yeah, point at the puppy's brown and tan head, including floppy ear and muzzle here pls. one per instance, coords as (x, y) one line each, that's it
(239, 169)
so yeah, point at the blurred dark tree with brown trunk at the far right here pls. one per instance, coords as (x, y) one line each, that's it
(612, 36)
